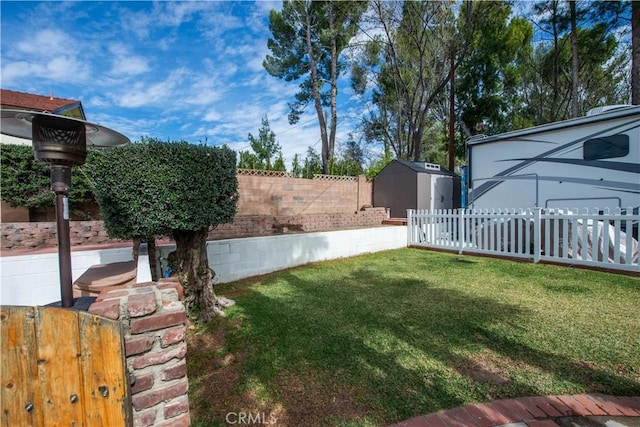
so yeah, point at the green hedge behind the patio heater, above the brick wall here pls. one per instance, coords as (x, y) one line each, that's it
(27, 182)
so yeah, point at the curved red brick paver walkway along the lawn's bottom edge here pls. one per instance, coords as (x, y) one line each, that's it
(540, 411)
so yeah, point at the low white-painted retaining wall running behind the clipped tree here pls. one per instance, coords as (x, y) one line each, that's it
(34, 280)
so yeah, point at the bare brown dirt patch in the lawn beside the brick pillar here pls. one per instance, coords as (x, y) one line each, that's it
(219, 394)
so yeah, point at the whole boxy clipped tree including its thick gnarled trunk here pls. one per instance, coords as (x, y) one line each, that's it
(152, 189)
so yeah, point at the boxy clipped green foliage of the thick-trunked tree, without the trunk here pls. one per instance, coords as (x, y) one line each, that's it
(154, 188)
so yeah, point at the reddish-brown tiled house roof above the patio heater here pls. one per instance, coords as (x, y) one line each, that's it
(29, 101)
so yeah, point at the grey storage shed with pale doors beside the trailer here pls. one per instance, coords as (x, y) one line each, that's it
(403, 185)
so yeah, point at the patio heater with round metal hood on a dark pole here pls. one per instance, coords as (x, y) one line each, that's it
(61, 142)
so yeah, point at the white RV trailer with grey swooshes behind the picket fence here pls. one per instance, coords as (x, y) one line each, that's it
(587, 162)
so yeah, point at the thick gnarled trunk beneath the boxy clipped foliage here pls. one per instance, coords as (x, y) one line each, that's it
(190, 264)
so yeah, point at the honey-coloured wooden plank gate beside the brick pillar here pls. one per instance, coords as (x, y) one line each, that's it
(62, 367)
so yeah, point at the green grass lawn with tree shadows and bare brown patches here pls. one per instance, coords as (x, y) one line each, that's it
(380, 338)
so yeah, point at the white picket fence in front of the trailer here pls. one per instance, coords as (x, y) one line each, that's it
(572, 236)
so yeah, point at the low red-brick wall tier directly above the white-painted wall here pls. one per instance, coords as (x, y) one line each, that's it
(36, 235)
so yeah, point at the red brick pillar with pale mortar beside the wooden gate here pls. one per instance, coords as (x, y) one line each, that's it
(154, 325)
